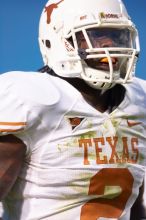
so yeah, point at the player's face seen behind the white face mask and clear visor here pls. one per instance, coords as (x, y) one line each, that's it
(104, 38)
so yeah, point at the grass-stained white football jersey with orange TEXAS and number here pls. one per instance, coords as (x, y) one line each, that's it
(80, 163)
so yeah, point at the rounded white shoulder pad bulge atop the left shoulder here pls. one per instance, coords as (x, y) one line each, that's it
(32, 86)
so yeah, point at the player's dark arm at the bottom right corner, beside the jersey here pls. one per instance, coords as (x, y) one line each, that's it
(138, 211)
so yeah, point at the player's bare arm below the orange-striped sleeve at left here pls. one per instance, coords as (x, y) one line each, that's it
(12, 152)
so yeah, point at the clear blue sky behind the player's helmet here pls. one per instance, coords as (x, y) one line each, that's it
(19, 48)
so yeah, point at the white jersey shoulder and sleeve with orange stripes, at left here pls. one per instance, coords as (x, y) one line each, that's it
(26, 101)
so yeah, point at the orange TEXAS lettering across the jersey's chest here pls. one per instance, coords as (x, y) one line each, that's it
(127, 154)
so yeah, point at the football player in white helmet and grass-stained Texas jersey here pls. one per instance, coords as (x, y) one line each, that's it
(73, 138)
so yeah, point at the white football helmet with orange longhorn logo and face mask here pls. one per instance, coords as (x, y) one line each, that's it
(65, 24)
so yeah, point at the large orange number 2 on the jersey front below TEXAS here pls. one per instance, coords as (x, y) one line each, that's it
(108, 207)
